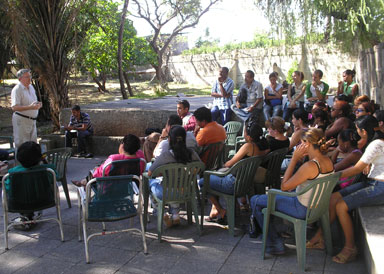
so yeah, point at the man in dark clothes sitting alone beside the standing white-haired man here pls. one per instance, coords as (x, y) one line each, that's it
(81, 122)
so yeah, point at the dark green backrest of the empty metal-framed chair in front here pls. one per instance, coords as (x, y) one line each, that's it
(110, 198)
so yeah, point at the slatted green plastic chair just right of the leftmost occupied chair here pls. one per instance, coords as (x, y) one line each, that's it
(59, 157)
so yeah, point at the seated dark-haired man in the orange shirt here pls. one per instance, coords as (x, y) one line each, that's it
(207, 131)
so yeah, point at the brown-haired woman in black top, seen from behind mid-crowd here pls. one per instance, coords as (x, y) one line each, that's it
(276, 138)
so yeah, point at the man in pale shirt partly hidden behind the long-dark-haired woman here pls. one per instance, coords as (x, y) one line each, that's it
(163, 143)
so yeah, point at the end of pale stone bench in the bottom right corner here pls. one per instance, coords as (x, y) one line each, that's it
(372, 237)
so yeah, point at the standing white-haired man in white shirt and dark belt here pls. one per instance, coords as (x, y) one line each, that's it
(25, 109)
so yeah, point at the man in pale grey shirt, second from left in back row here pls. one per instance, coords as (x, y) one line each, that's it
(254, 91)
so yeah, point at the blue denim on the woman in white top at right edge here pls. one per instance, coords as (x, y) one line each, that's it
(363, 194)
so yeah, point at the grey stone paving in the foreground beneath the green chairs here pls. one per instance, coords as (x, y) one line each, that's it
(183, 251)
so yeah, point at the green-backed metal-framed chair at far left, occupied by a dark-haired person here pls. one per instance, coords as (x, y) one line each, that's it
(30, 191)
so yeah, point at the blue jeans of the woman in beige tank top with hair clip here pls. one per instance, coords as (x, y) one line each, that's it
(288, 205)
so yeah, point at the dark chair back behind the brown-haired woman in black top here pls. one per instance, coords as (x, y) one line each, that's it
(272, 161)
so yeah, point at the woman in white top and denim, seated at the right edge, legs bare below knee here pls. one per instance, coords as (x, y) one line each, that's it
(366, 193)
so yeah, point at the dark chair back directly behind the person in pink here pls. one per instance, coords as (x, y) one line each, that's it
(124, 167)
